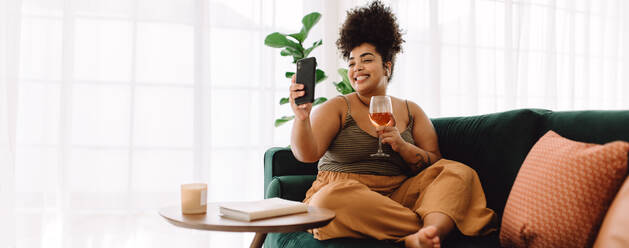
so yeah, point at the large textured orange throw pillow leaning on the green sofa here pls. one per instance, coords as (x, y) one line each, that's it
(562, 192)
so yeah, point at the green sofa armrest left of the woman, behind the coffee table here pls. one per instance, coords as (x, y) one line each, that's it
(280, 161)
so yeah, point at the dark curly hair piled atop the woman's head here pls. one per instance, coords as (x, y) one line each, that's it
(374, 24)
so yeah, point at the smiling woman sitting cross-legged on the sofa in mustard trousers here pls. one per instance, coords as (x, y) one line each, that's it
(381, 198)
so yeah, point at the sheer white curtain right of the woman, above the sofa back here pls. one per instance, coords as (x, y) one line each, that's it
(480, 56)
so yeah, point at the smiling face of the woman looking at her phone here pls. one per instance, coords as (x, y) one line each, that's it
(367, 73)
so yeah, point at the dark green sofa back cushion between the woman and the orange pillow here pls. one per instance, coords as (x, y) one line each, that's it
(494, 145)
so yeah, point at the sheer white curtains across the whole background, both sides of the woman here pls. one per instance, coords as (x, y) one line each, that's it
(106, 107)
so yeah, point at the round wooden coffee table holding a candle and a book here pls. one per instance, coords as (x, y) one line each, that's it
(315, 217)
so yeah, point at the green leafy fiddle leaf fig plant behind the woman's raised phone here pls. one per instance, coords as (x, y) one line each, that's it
(293, 45)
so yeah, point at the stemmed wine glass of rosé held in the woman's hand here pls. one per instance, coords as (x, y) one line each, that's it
(380, 114)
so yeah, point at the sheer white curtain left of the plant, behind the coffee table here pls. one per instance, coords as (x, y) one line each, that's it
(122, 101)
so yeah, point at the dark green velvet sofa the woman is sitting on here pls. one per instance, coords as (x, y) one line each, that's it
(495, 145)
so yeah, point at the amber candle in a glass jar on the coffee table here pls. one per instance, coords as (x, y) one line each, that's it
(194, 198)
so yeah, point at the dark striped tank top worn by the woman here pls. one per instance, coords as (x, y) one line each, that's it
(349, 151)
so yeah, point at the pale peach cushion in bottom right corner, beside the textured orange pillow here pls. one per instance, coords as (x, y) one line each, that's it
(613, 233)
